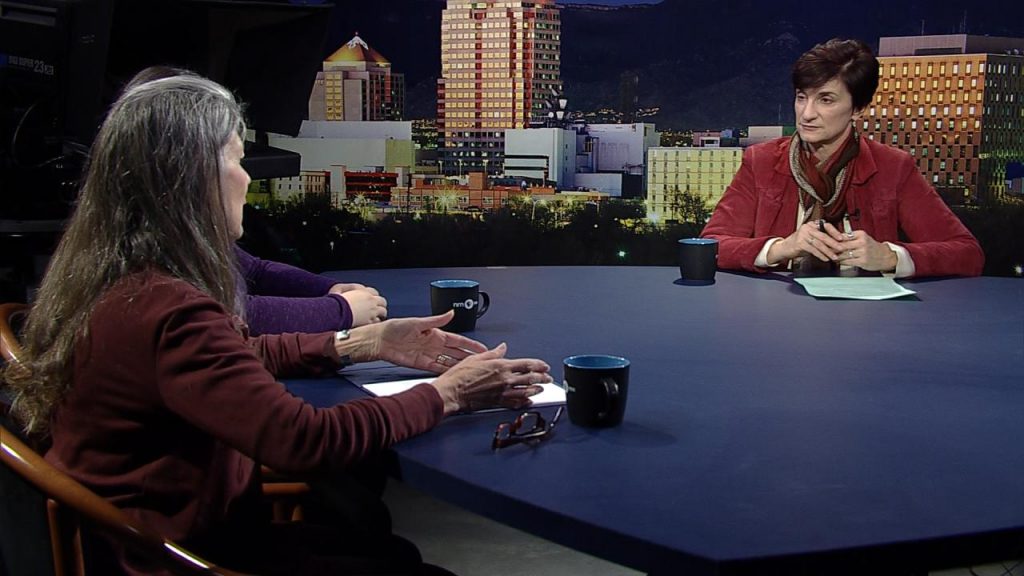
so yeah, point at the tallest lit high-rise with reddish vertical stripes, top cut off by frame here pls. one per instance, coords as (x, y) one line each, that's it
(500, 70)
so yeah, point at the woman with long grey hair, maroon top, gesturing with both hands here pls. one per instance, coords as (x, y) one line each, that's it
(139, 368)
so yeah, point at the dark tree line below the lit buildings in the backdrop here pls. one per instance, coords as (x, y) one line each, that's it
(312, 234)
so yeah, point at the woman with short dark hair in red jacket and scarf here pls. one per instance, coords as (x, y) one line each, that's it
(828, 197)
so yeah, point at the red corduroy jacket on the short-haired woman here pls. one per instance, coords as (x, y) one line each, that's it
(890, 198)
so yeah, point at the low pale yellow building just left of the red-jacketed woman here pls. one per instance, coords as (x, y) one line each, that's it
(675, 174)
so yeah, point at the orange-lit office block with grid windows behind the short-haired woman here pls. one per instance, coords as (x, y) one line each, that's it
(956, 103)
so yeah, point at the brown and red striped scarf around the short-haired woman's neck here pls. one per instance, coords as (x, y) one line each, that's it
(822, 185)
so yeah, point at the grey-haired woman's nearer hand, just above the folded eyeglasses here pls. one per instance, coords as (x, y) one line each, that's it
(489, 380)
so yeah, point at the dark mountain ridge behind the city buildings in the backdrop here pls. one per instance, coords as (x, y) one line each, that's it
(704, 64)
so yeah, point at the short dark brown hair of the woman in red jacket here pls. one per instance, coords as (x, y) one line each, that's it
(851, 61)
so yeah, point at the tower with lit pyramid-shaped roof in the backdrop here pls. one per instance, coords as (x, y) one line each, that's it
(358, 85)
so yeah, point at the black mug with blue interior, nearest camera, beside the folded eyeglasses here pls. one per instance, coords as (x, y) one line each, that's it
(596, 388)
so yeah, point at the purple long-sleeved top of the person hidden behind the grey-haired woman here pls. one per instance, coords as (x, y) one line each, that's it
(284, 299)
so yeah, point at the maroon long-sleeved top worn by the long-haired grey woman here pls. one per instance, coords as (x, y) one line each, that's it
(170, 406)
